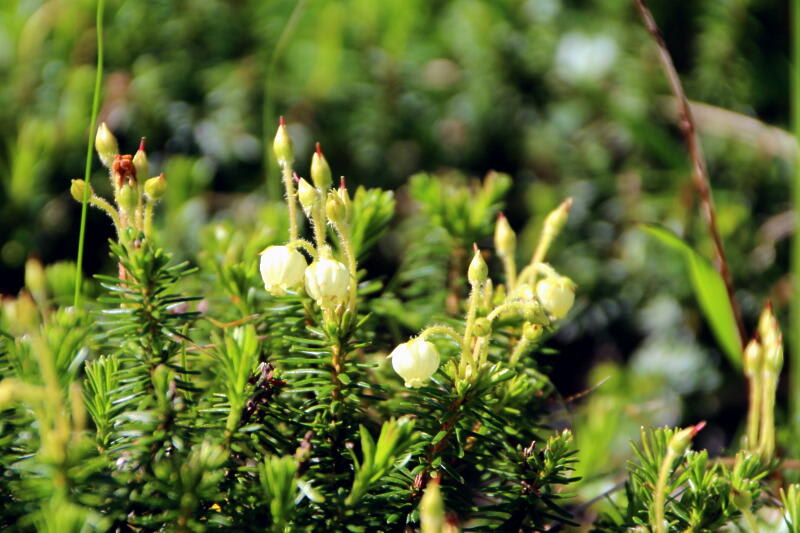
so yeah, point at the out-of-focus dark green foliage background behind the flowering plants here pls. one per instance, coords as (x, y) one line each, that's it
(565, 96)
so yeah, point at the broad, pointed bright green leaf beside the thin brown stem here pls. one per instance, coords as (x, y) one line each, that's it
(709, 288)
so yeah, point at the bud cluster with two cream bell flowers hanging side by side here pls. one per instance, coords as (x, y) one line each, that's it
(328, 281)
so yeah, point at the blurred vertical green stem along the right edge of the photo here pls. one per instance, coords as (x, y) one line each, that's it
(794, 366)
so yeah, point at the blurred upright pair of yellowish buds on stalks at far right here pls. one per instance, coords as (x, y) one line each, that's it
(763, 361)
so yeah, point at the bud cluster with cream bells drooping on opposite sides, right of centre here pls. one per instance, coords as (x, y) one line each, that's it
(525, 306)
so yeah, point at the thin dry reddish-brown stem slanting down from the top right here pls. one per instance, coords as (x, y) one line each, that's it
(699, 173)
